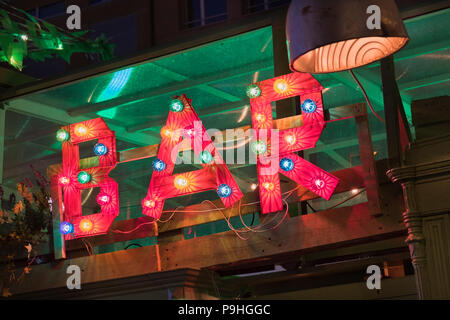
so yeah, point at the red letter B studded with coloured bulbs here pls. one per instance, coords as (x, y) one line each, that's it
(73, 178)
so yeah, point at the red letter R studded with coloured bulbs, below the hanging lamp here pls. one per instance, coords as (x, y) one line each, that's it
(277, 148)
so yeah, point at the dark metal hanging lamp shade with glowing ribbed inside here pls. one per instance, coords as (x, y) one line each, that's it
(332, 35)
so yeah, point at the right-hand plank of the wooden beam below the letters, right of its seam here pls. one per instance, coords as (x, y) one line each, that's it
(298, 235)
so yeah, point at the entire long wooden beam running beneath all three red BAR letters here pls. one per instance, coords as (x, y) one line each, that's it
(308, 233)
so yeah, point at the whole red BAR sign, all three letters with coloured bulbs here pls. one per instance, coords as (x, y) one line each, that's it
(274, 154)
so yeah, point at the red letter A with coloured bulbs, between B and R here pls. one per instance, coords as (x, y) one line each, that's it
(183, 121)
